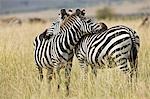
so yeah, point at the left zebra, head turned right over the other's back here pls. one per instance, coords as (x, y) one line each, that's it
(57, 51)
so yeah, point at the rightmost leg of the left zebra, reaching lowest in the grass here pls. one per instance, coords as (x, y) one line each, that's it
(67, 76)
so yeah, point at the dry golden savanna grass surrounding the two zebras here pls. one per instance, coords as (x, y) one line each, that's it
(19, 75)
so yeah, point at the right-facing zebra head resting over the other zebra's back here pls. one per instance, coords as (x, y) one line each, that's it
(81, 23)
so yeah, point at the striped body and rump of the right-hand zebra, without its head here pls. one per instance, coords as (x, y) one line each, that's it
(115, 46)
